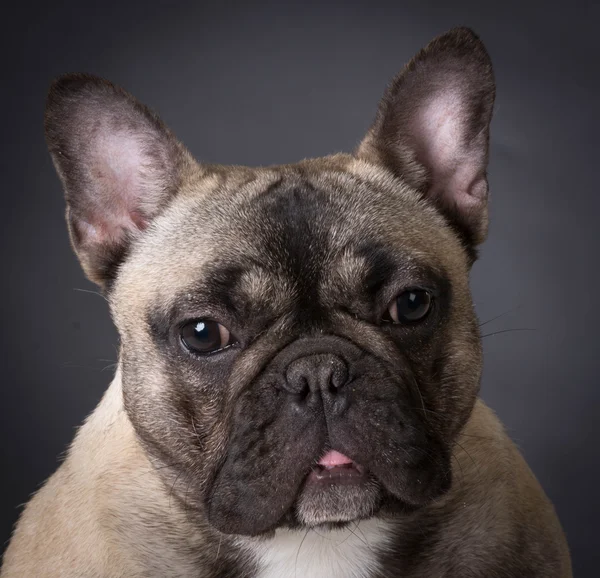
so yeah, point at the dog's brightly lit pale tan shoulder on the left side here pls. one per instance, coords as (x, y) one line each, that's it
(105, 512)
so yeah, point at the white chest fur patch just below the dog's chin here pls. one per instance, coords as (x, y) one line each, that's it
(347, 553)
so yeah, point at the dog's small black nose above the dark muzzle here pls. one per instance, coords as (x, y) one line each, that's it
(324, 373)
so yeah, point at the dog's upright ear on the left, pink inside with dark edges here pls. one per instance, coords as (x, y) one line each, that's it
(119, 165)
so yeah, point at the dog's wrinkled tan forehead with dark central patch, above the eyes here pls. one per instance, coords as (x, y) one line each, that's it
(282, 235)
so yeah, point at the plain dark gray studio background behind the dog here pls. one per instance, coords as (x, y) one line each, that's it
(270, 83)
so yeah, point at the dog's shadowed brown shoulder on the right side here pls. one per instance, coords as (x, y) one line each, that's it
(493, 502)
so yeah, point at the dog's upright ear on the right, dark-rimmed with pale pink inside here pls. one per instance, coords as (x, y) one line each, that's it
(432, 129)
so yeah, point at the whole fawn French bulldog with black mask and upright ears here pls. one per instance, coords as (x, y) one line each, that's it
(300, 360)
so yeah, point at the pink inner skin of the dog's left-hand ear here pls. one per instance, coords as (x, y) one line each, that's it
(116, 165)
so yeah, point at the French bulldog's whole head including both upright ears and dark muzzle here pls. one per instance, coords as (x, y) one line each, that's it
(299, 345)
